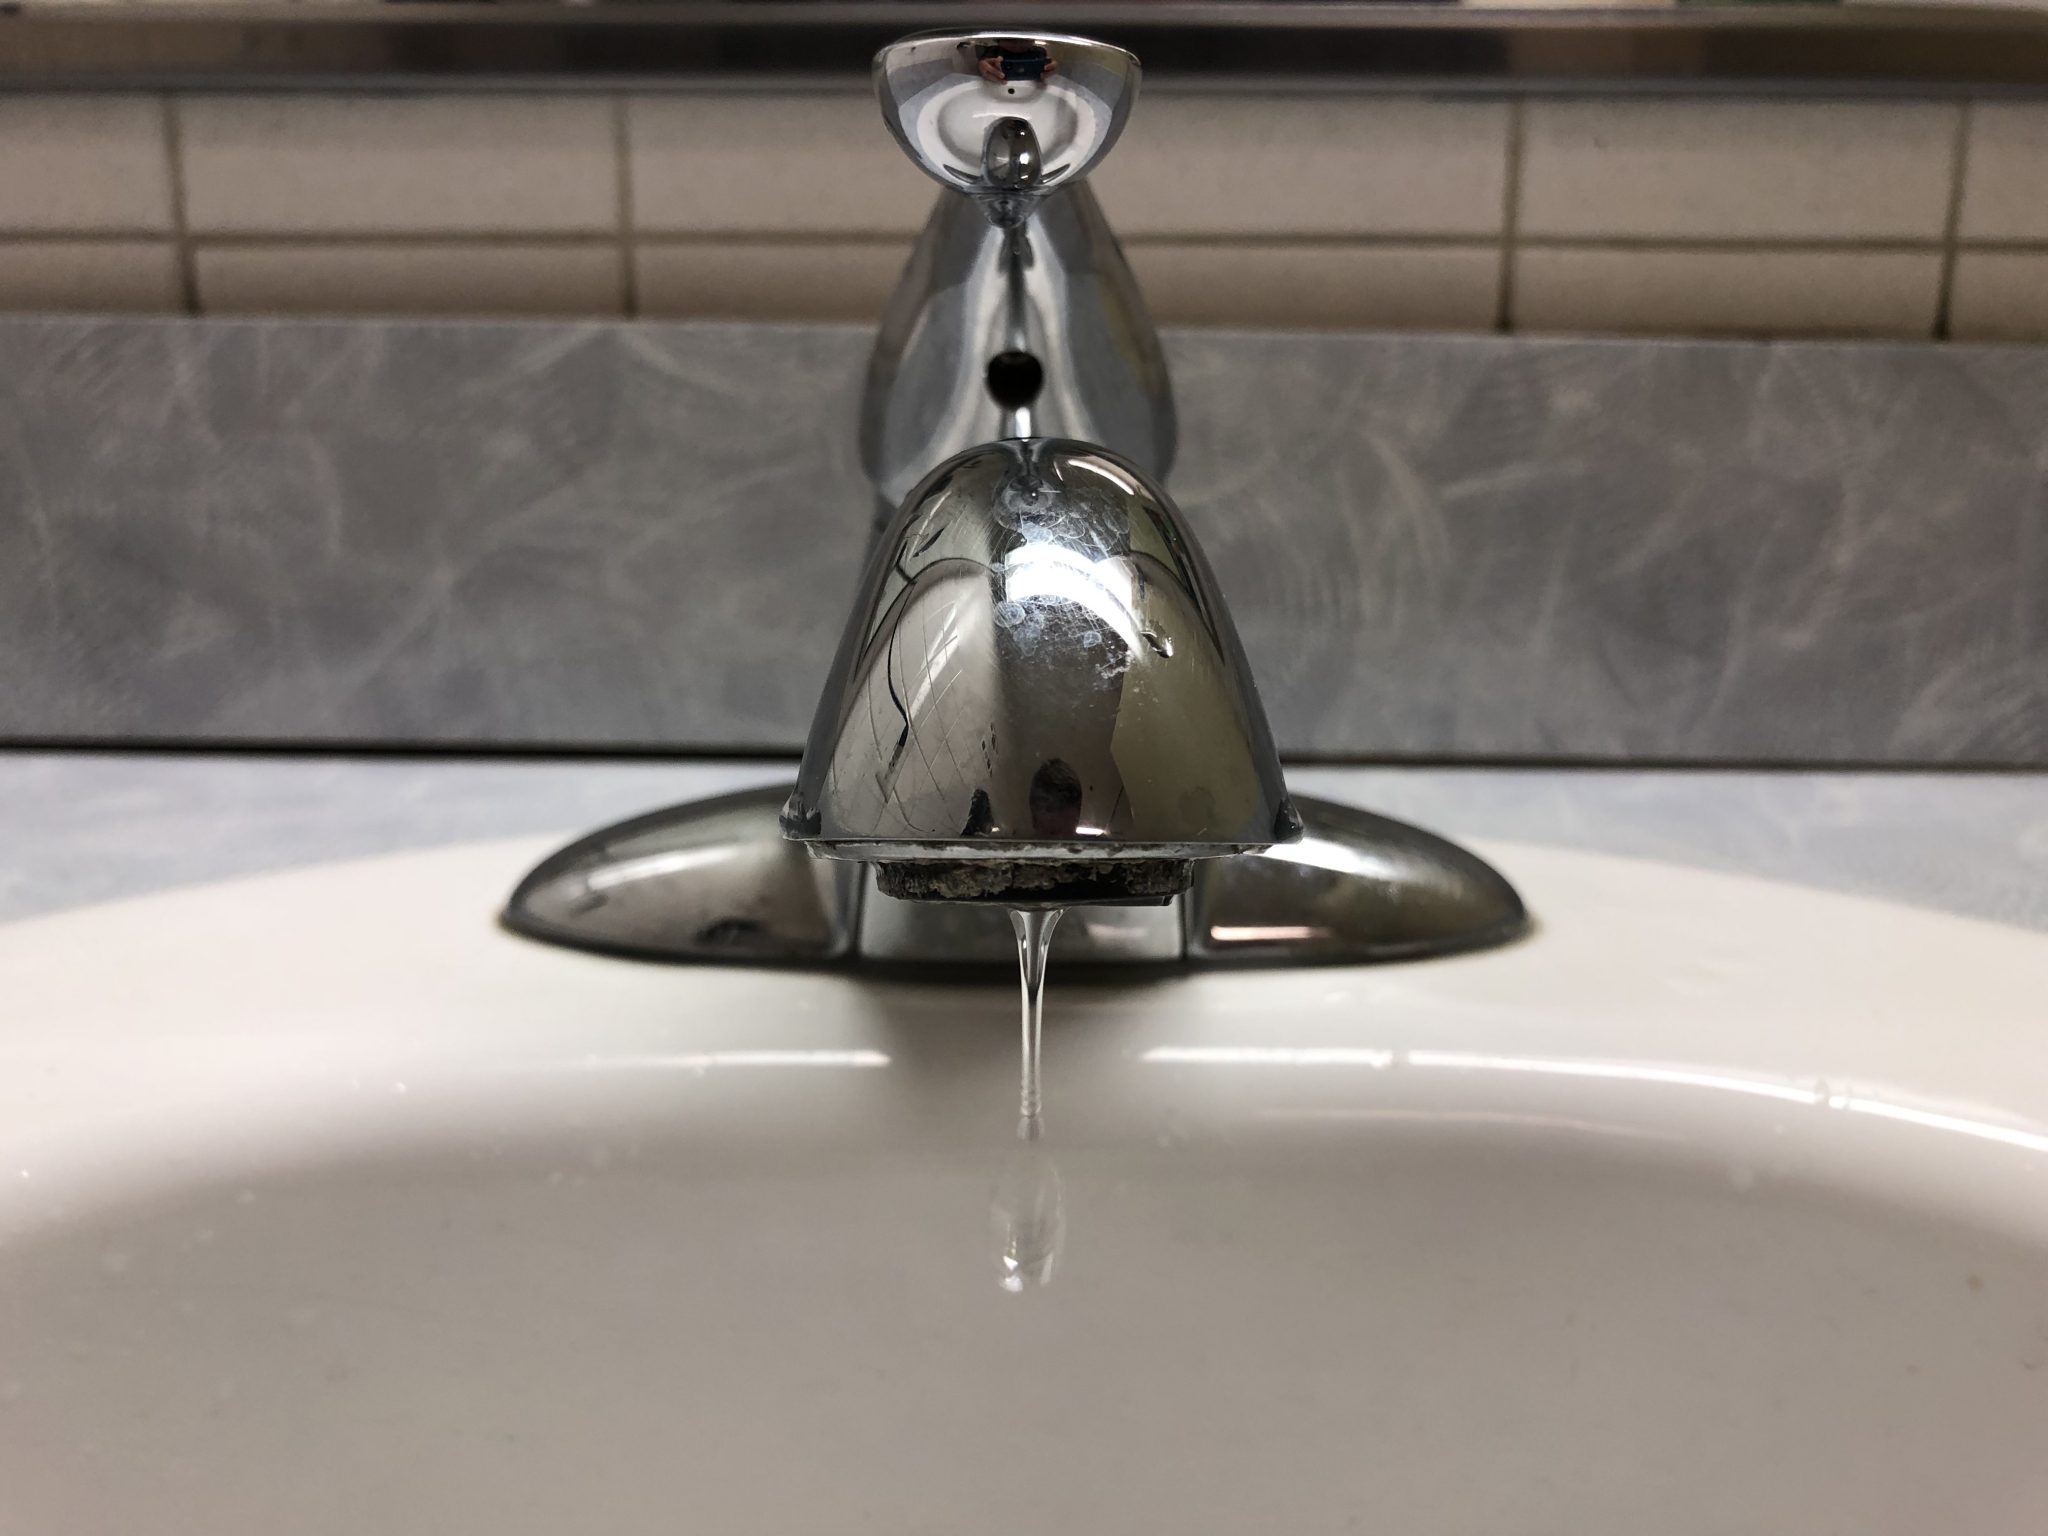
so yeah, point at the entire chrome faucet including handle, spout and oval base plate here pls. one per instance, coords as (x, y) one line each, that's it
(1039, 697)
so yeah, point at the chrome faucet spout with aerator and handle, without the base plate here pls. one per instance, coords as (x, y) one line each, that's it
(1039, 697)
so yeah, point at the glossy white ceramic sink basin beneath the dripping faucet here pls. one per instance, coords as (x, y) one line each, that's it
(1717, 1207)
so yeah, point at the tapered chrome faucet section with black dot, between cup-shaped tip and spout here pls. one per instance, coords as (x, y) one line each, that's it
(1000, 333)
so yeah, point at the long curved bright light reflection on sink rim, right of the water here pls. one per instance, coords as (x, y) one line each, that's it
(1629, 1072)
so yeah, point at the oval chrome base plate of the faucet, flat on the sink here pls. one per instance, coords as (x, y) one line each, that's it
(720, 882)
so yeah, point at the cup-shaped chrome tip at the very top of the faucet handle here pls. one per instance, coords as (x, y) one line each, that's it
(1005, 114)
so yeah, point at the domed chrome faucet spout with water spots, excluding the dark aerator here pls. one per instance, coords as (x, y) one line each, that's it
(1039, 669)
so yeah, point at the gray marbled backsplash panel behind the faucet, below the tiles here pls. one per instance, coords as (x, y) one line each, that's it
(646, 536)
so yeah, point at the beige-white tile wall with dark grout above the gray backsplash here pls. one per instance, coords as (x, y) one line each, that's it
(1684, 216)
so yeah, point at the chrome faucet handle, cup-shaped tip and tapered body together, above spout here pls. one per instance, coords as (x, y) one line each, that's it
(1019, 314)
